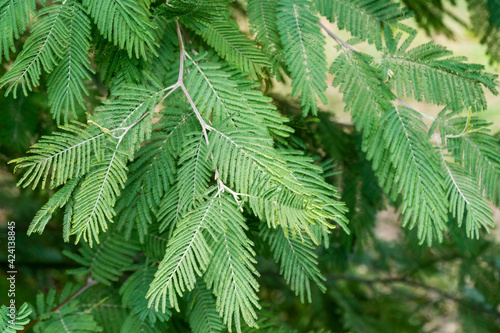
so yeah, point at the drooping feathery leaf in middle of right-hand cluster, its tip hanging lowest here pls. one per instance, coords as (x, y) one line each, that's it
(418, 172)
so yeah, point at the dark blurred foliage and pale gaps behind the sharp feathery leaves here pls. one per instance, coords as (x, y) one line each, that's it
(379, 279)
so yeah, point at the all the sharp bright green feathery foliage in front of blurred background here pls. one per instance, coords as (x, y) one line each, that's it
(165, 180)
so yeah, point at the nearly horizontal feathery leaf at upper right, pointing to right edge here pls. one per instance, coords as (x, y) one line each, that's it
(427, 73)
